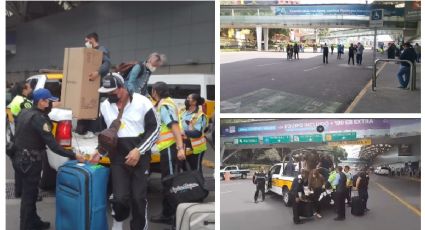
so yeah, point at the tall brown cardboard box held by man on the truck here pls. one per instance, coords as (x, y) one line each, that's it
(79, 93)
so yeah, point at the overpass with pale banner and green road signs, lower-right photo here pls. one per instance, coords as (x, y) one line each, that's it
(373, 135)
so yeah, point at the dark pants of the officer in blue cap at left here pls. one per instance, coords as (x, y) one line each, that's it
(30, 174)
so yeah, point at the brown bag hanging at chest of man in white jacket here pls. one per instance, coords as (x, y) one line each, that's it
(108, 138)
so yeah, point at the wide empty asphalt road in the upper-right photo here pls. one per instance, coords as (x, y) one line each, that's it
(267, 82)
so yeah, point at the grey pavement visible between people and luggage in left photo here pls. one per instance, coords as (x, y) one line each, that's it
(46, 208)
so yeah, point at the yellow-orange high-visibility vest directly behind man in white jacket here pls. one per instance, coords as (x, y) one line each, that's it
(166, 137)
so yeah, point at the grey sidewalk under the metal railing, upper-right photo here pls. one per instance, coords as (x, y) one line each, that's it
(388, 98)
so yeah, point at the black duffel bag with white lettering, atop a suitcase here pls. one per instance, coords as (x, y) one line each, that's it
(184, 187)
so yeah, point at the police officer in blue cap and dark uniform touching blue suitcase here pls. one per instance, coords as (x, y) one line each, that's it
(33, 132)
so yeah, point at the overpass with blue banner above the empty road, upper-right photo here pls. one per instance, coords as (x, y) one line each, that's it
(353, 16)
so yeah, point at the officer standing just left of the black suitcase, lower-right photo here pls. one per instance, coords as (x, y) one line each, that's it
(340, 183)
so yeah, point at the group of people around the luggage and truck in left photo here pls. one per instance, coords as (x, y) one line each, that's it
(146, 121)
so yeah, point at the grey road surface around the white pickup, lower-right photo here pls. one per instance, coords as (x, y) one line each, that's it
(238, 210)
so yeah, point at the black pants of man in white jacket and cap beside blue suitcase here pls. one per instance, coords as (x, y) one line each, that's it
(130, 185)
